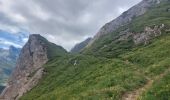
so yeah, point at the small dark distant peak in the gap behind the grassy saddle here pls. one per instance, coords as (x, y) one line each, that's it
(78, 47)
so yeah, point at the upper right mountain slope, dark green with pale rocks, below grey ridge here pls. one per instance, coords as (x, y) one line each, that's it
(140, 30)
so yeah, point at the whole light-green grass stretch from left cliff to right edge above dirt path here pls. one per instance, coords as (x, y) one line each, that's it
(101, 78)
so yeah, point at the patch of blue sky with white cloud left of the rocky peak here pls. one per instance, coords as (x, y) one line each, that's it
(16, 39)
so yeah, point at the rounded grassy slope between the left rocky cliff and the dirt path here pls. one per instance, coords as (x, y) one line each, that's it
(91, 78)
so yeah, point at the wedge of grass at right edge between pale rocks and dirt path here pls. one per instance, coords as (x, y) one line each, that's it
(153, 58)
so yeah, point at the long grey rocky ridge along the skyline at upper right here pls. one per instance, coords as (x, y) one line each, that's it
(125, 18)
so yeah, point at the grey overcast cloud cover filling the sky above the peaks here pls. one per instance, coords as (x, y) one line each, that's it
(64, 22)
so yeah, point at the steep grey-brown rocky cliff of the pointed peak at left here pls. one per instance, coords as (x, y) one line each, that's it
(29, 67)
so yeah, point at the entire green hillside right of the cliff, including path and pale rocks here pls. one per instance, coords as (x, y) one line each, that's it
(129, 63)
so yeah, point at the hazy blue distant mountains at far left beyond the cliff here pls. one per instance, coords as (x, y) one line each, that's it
(8, 58)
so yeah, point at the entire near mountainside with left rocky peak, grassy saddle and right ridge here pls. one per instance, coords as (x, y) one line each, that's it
(128, 59)
